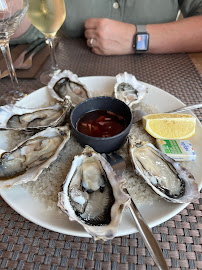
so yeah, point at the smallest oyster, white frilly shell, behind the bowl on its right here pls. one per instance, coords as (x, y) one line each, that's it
(128, 89)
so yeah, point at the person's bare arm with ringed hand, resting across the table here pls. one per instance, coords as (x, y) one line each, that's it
(115, 38)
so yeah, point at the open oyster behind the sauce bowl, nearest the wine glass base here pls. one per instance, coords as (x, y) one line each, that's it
(67, 85)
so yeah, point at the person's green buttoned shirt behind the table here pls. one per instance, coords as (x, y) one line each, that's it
(130, 11)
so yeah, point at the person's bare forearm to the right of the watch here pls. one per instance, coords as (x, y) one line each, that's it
(181, 36)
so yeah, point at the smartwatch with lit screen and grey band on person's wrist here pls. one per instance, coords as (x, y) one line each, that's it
(141, 39)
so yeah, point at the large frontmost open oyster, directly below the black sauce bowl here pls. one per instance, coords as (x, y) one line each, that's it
(93, 195)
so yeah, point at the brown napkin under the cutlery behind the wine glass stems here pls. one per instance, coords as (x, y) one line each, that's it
(38, 61)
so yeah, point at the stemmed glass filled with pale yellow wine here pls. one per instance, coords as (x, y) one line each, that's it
(48, 16)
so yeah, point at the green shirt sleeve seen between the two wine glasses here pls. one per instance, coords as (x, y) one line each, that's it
(29, 36)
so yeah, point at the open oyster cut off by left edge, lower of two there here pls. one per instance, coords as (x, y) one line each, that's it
(27, 160)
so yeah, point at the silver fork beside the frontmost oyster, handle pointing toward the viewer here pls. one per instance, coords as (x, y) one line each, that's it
(119, 165)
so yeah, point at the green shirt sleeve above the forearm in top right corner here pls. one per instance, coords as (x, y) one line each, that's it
(190, 7)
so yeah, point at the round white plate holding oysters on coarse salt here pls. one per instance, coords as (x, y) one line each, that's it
(32, 209)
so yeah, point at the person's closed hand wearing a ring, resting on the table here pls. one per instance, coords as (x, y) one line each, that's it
(109, 37)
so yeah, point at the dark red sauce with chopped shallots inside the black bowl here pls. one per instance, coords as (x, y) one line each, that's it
(101, 123)
